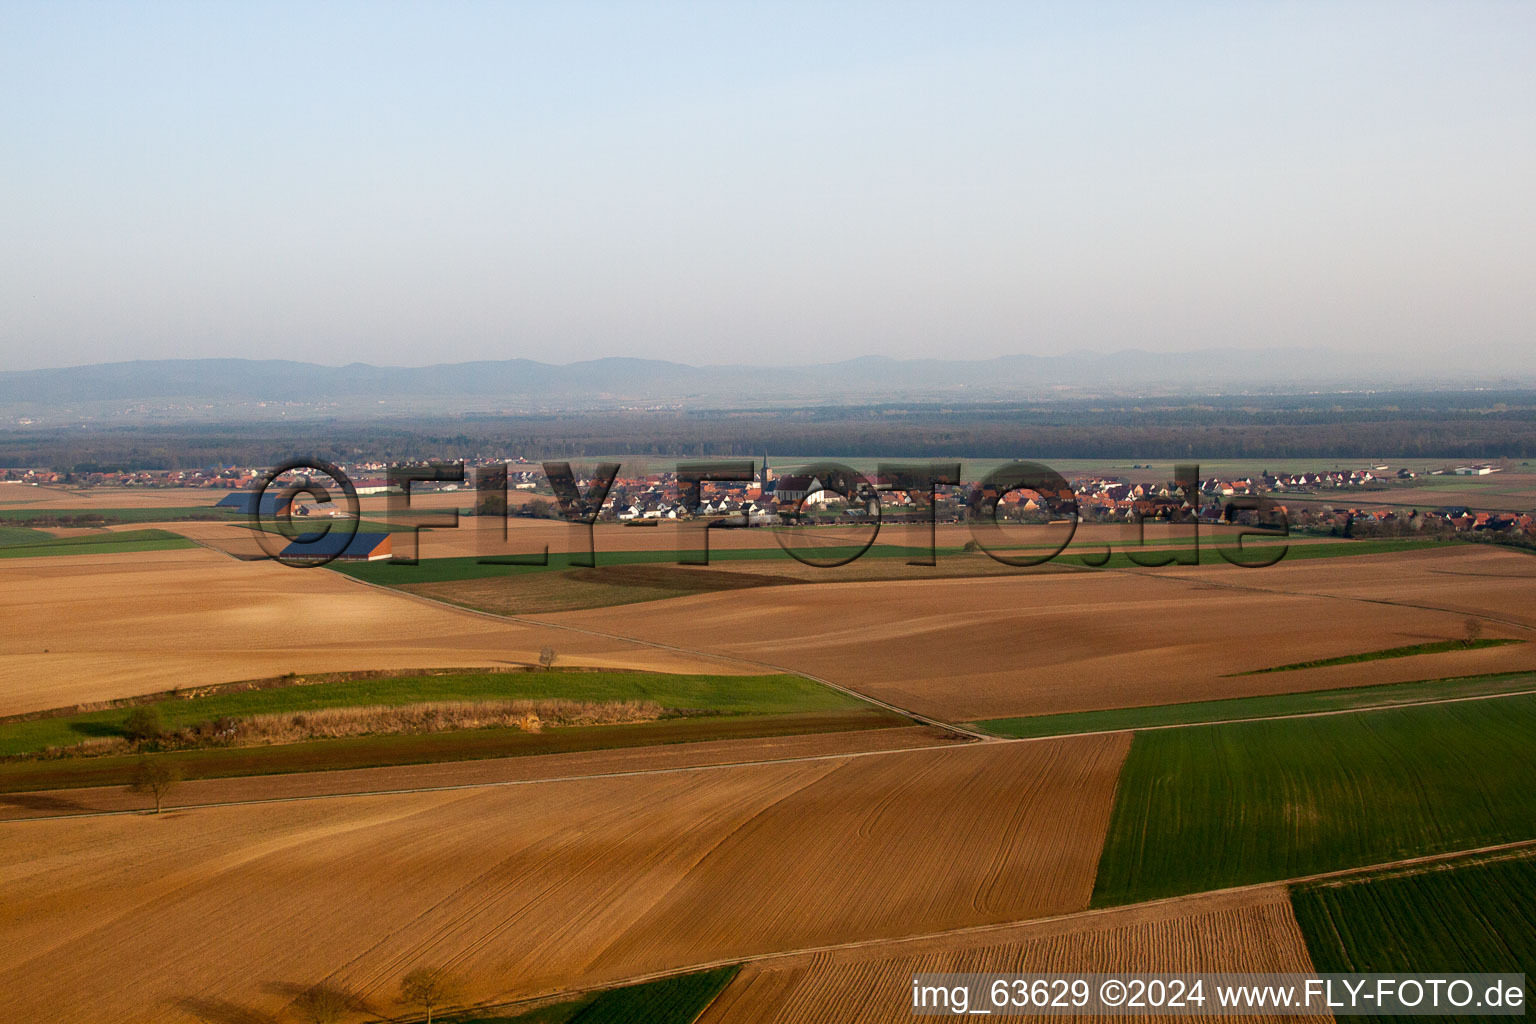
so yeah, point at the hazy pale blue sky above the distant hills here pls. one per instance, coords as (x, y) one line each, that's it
(718, 182)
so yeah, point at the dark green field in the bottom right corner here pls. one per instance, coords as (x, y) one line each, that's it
(1477, 917)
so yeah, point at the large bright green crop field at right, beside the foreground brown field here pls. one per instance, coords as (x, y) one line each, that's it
(1225, 805)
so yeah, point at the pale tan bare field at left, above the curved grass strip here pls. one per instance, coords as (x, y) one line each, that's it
(114, 626)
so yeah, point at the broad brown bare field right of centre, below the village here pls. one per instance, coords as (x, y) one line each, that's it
(1027, 646)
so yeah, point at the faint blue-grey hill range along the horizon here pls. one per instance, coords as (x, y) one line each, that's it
(511, 385)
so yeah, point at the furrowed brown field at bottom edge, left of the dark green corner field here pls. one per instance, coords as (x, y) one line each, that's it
(872, 985)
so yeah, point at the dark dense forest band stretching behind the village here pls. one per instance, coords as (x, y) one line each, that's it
(1445, 424)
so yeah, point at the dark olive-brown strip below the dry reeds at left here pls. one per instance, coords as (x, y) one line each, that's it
(385, 751)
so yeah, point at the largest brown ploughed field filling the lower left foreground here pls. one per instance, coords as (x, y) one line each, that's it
(532, 890)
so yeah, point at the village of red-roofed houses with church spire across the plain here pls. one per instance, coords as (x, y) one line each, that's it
(1363, 501)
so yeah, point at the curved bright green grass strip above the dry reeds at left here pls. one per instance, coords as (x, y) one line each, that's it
(726, 695)
